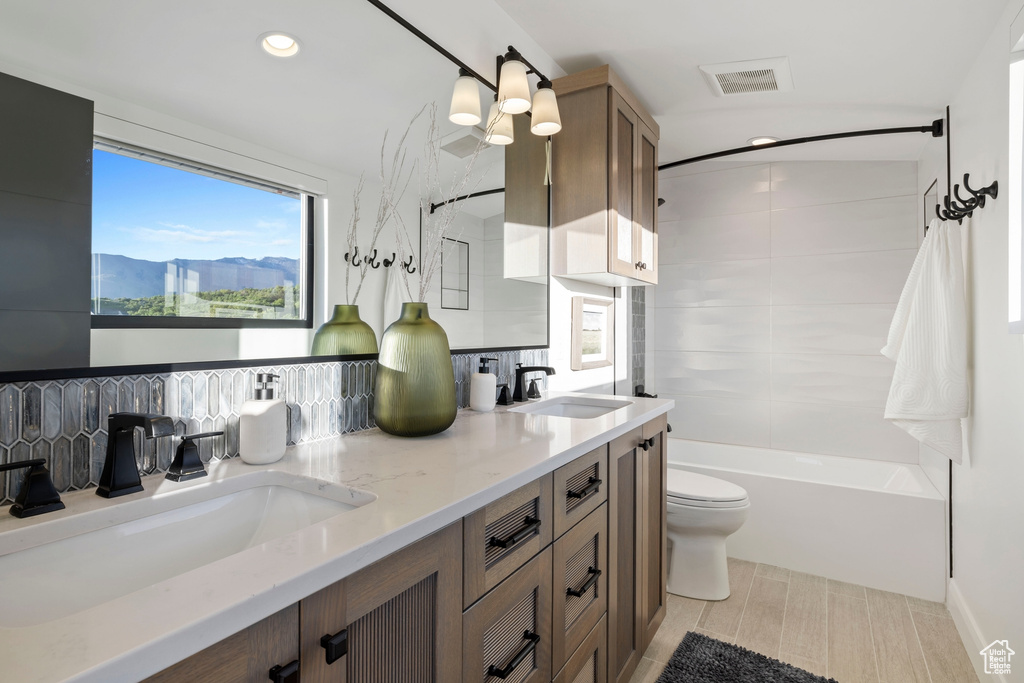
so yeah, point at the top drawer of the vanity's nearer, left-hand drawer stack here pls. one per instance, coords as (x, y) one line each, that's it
(500, 538)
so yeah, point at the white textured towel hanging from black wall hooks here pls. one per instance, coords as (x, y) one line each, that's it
(928, 341)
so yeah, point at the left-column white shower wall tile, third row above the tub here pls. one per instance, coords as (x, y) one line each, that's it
(728, 329)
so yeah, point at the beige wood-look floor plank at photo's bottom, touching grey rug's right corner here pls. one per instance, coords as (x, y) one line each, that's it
(851, 653)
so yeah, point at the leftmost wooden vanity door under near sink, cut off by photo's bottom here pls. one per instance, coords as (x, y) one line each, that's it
(246, 657)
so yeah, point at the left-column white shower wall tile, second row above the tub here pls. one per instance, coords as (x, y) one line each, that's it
(710, 374)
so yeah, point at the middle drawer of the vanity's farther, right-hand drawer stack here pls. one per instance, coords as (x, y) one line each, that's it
(579, 579)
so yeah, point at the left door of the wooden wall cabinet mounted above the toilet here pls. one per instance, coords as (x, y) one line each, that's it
(622, 187)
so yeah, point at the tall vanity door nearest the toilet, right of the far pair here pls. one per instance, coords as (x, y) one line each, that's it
(655, 563)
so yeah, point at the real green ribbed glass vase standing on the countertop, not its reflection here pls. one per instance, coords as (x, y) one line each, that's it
(414, 395)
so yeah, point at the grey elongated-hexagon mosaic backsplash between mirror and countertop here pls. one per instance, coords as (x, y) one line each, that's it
(65, 421)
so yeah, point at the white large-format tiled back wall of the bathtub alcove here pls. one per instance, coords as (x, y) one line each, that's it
(778, 284)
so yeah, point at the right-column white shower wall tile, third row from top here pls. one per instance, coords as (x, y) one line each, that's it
(866, 278)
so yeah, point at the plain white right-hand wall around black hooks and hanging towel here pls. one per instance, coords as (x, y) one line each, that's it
(988, 595)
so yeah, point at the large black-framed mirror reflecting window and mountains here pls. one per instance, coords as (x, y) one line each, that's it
(302, 129)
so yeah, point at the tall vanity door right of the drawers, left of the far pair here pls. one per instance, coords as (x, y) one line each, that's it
(625, 529)
